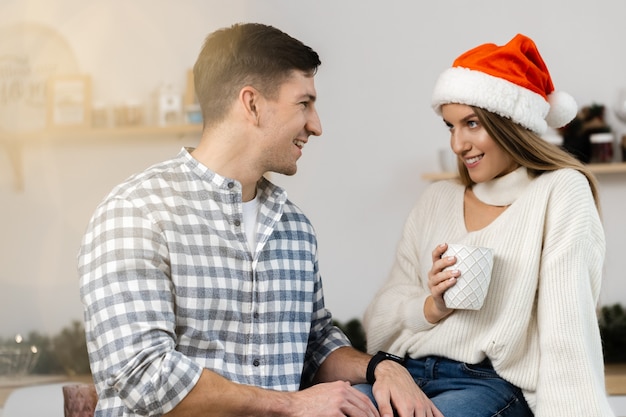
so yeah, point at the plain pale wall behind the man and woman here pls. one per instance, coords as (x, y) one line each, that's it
(357, 182)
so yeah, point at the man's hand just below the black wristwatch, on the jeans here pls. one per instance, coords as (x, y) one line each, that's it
(395, 387)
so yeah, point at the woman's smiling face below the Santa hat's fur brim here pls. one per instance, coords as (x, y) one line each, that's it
(482, 156)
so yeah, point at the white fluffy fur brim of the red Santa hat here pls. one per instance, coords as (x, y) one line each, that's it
(494, 94)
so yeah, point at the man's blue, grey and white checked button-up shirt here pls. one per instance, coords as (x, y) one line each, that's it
(170, 287)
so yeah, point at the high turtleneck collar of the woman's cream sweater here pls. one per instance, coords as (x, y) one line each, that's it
(503, 191)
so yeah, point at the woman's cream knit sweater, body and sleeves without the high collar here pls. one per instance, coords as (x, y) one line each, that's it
(538, 325)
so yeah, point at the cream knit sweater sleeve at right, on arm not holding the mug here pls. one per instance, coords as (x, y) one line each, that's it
(571, 377)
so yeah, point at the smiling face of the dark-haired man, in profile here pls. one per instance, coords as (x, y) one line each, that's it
(288, 121)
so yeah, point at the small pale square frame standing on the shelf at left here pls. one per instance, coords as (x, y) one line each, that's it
(69, 101)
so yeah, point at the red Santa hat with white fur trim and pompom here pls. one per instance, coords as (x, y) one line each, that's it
(510, 80)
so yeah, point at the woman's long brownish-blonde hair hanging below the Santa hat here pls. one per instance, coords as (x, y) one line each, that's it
(529, 150)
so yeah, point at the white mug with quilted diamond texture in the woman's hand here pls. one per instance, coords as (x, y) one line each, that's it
(475, 264)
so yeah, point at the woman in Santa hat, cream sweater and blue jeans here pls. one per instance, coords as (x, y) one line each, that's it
(534, 346)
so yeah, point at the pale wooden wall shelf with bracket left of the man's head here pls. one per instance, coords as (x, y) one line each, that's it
(13, 143)
